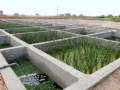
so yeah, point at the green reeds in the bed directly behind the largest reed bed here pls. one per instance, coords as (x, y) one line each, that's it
(44, 36)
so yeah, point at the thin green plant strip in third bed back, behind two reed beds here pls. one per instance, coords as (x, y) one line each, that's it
(23, 30)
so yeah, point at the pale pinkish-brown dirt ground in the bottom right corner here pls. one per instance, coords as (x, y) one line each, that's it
(110, 83)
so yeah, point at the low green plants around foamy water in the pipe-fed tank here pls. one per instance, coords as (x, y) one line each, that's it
(26, 67)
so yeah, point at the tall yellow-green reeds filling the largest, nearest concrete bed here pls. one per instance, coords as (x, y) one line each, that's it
(83, 56)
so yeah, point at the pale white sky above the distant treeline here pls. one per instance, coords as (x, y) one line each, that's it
(49, 7)
